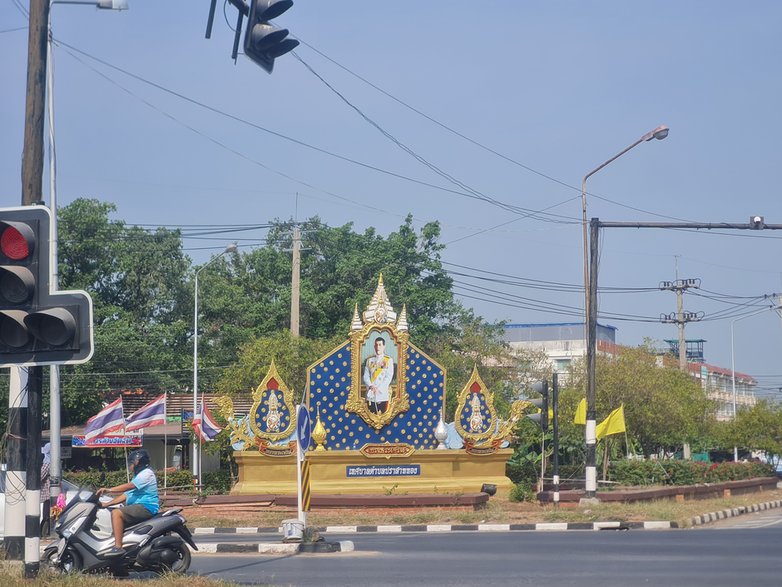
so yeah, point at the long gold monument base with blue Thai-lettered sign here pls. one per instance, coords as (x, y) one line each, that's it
(351, 472)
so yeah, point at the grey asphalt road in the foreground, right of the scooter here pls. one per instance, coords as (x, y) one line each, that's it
(733, 556)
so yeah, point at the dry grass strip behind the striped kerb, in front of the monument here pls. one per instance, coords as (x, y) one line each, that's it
(500, 510)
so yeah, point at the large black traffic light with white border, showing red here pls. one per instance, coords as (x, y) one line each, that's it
(37, 327)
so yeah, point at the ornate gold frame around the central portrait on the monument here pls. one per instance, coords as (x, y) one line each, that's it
(398, 399)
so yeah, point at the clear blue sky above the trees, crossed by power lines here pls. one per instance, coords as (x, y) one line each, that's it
(482, 116)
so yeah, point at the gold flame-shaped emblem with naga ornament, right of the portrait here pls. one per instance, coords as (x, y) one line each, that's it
(476, 419)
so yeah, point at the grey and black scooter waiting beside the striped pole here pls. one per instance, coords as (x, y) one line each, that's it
(159, 544)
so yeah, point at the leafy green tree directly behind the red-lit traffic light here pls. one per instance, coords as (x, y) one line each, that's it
(136, 279)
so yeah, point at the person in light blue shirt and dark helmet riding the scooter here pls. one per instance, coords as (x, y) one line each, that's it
(140, 496)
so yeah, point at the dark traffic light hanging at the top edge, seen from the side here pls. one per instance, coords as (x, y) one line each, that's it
(263, 42)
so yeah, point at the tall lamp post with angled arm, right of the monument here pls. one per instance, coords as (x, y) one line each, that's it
(590, 325)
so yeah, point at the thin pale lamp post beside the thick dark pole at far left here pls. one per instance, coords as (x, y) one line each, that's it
(55, 430)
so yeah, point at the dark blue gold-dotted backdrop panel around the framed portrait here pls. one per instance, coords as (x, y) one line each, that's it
(330, 383)
